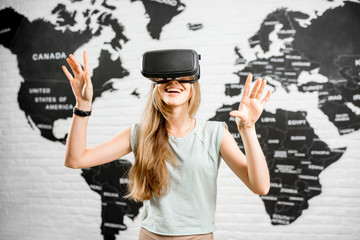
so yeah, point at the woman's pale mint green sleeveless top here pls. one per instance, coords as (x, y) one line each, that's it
(189, 207)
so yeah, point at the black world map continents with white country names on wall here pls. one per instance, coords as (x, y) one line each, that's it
(296, 155)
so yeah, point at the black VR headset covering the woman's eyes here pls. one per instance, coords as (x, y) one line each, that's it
(173, 64)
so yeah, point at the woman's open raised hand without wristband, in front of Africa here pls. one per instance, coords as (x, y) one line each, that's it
(251, 107)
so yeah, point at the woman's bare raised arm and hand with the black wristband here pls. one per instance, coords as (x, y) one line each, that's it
(77, 156)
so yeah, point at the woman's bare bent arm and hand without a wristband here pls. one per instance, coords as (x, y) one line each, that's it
(252, 169)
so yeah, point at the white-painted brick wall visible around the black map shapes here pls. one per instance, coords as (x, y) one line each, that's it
(42, 199)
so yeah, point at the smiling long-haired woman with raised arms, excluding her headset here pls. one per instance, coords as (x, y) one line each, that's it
(176, 155)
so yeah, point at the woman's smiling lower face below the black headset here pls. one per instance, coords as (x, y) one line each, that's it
(174, 93)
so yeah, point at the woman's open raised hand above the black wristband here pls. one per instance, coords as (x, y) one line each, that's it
(81, 82)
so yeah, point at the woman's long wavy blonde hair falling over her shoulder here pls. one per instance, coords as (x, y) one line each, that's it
(149, 174)
